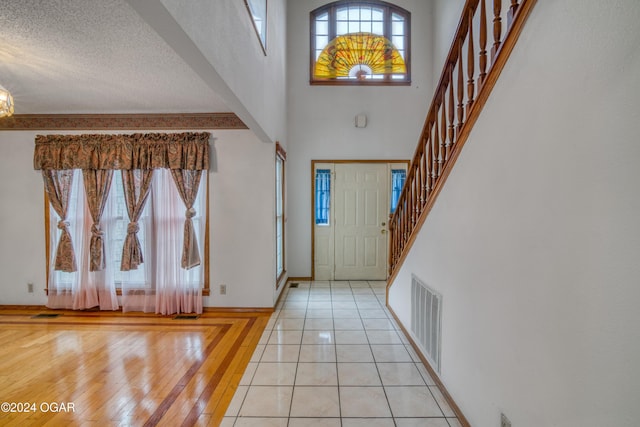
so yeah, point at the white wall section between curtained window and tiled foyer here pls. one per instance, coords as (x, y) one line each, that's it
(242, 215)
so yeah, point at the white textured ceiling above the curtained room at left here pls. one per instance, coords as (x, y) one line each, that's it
(93, 56)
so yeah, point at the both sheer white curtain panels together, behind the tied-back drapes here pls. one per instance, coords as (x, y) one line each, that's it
(159, 284)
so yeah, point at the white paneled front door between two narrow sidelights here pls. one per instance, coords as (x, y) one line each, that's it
(361, 213)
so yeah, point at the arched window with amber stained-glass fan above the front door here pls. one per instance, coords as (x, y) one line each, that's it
(360, 42)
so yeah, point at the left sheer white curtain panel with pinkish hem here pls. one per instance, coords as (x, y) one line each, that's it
(81, 289)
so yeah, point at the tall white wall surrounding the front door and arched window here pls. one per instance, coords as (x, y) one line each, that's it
(321, 118)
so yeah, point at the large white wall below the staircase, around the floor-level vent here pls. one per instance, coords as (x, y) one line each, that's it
(535, 240)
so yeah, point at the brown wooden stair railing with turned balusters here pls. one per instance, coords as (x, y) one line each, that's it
(454, 109)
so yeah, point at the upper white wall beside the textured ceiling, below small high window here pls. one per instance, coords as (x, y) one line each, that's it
(223, 31)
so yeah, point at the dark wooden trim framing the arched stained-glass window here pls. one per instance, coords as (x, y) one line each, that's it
(331, 9)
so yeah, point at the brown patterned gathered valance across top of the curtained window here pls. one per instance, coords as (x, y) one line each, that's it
(185, 151)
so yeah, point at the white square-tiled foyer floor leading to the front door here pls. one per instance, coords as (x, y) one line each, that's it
(331, 355)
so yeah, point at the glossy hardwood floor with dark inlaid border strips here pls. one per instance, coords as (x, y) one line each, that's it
(96, 368)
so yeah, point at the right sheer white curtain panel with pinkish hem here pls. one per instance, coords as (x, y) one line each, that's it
(168, 288)
